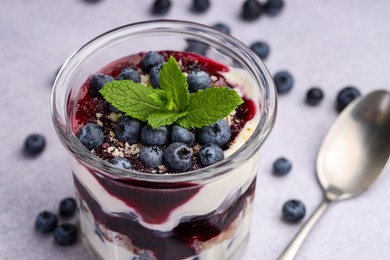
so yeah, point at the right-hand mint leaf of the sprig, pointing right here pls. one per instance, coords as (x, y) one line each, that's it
(209, 105)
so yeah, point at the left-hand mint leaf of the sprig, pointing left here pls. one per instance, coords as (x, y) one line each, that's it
(132, 98)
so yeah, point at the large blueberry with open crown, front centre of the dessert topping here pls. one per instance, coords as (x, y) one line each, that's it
(178, 157)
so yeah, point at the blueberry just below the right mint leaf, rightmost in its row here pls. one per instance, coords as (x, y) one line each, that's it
(218, 133)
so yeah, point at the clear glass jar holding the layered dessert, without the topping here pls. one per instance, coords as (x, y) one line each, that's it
(201, 214)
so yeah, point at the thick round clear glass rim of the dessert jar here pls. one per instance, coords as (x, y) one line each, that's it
(267, 106)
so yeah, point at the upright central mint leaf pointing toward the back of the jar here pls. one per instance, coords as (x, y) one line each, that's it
(174, 82)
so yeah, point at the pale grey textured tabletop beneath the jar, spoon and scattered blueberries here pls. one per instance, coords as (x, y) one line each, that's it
(327, 43)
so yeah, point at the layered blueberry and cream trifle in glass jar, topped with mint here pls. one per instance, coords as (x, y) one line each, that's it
(165, 149)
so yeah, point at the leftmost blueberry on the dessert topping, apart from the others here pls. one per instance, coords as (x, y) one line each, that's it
(91, 136)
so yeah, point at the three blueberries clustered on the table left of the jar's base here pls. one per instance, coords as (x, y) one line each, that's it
(64, 234)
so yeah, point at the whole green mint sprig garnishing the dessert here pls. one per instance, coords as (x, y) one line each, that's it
(172, 103)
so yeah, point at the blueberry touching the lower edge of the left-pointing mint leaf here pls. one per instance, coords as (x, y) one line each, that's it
(128, 129)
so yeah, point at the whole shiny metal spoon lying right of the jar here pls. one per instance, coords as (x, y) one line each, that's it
(352, 156)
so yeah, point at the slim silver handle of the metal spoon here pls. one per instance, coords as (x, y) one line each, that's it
(292, 249)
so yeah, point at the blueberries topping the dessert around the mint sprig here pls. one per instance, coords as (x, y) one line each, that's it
(173, 146)
